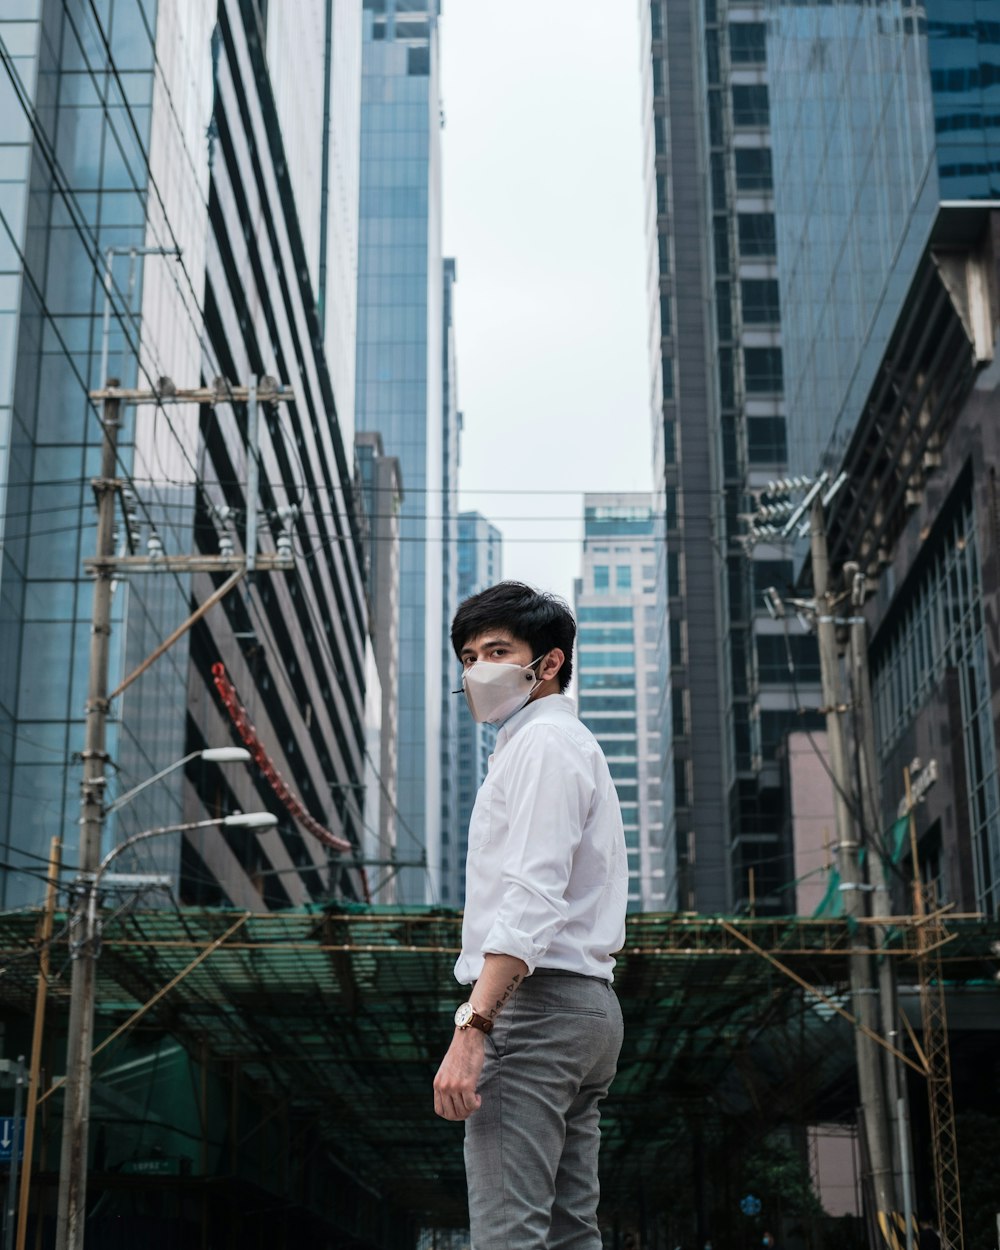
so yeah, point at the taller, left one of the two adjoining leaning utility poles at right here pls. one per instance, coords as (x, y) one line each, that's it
(871, 1076)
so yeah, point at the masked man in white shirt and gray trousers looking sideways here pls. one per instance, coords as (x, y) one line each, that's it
(537, 1046)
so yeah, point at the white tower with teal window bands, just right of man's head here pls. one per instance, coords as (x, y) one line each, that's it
(622, 672)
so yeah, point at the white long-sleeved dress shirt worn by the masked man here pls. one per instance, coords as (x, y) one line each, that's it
(547, 874)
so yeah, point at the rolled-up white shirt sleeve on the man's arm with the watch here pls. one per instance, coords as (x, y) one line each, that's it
(548, 791)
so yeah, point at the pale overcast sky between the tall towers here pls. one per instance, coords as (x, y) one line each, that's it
(543, 212)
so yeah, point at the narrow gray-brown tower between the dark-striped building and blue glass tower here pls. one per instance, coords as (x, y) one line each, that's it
(382, 491)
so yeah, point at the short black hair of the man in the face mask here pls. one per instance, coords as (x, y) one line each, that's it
(534, 617)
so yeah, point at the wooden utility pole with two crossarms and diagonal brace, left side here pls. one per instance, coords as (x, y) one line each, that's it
(84, 926)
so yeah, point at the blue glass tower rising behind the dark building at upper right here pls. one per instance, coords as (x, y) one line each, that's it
(882, 113)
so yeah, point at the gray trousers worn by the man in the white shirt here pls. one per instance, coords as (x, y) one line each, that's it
(532, 1149)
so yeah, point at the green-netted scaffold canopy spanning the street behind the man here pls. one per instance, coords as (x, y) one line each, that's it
(346, 1013)
